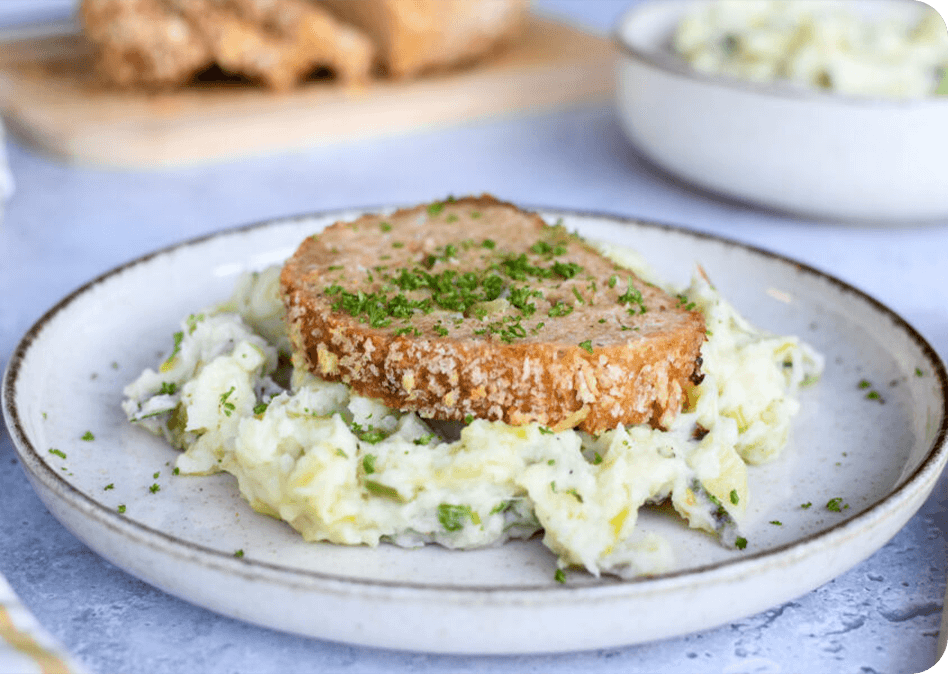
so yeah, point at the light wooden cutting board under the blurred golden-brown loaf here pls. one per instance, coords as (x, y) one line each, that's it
(50, 99)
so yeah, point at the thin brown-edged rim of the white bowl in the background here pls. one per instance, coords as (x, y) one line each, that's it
(668, 64)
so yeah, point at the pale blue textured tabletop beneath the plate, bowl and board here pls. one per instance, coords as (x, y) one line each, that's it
(66, 225)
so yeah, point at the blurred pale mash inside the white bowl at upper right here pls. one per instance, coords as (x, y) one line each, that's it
(817, 44)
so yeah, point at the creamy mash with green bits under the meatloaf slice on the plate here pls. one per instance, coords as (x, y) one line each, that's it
(342, 468)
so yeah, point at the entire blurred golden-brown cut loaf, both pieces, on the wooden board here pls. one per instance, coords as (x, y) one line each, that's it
(279, 42)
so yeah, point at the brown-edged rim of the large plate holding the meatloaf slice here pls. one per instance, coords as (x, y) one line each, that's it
(912, 490)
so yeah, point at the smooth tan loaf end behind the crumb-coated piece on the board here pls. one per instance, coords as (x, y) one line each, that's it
(415, 36)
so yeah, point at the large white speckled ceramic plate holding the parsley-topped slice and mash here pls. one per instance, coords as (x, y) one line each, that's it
(66, 378)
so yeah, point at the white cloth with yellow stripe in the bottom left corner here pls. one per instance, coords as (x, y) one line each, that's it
(25, 647)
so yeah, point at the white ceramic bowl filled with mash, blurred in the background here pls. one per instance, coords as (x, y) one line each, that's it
(817, 154)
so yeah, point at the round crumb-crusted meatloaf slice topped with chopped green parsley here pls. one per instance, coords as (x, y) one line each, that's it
(573, 341)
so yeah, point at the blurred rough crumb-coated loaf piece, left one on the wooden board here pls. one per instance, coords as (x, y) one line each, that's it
(166, 42)
